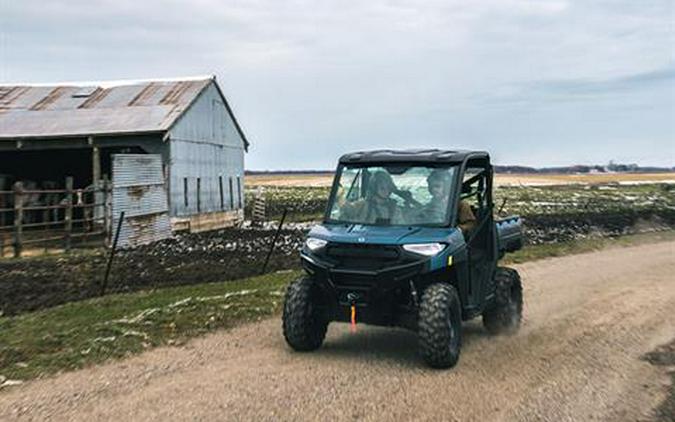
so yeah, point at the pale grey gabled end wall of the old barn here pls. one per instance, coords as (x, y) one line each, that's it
(206, 146)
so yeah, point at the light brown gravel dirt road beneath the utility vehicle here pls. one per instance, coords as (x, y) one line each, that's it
(588, 319)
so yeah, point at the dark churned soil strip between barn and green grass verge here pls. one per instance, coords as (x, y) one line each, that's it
(40, 282)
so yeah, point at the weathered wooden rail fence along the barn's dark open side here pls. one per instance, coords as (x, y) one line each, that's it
(54, 218)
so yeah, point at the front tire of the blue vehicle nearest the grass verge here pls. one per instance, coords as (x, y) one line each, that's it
(304, 322)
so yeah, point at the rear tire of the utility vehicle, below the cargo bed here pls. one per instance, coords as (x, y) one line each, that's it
(505, 315)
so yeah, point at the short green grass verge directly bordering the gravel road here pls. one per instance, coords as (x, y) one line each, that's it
(78, 334)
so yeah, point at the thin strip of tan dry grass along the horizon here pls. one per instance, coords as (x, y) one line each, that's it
(318, 180)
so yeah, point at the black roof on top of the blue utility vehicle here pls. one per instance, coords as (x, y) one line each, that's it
(411, 155)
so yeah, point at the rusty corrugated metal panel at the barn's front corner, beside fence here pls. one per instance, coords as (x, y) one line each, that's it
(139, 190)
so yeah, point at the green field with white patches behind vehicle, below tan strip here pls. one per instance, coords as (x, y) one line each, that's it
(631, 197)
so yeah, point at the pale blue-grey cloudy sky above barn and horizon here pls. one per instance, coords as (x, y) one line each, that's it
(540, 82)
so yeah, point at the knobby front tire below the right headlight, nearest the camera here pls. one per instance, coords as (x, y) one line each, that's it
(440, 326)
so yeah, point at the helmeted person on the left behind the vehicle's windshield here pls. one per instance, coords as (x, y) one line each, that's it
(378, 204)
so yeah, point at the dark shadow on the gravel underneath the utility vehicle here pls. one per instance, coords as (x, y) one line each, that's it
(386, 345)
